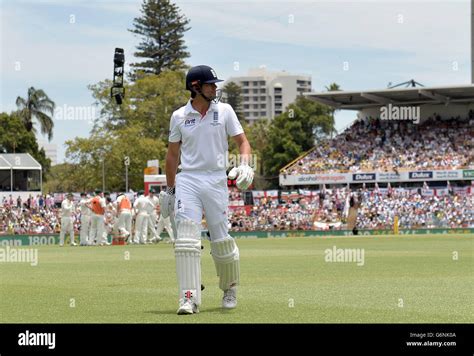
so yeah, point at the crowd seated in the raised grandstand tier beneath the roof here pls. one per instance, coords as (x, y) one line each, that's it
(385, 146)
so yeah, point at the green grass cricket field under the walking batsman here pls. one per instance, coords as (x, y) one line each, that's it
(283, 281)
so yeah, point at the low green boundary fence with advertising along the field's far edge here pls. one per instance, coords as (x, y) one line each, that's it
(53, 239)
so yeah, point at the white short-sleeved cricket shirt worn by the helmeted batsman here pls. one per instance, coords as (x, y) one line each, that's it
(204, 139)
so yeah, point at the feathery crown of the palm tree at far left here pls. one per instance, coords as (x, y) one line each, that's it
(37, 105)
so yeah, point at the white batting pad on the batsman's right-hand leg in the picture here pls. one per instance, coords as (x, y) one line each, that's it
(226, 258)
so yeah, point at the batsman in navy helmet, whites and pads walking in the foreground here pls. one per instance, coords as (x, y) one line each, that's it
(198, 136)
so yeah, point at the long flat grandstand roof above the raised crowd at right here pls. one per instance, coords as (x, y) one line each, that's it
(357, 100)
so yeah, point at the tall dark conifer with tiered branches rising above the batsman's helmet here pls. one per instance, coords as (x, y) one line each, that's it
(161, 28)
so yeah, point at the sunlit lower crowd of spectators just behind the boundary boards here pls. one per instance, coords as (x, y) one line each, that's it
(326, 209)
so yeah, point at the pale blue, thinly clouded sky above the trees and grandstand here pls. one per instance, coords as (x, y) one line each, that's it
(64, 46)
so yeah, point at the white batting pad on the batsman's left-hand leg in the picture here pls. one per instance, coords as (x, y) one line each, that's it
(188, 260)
